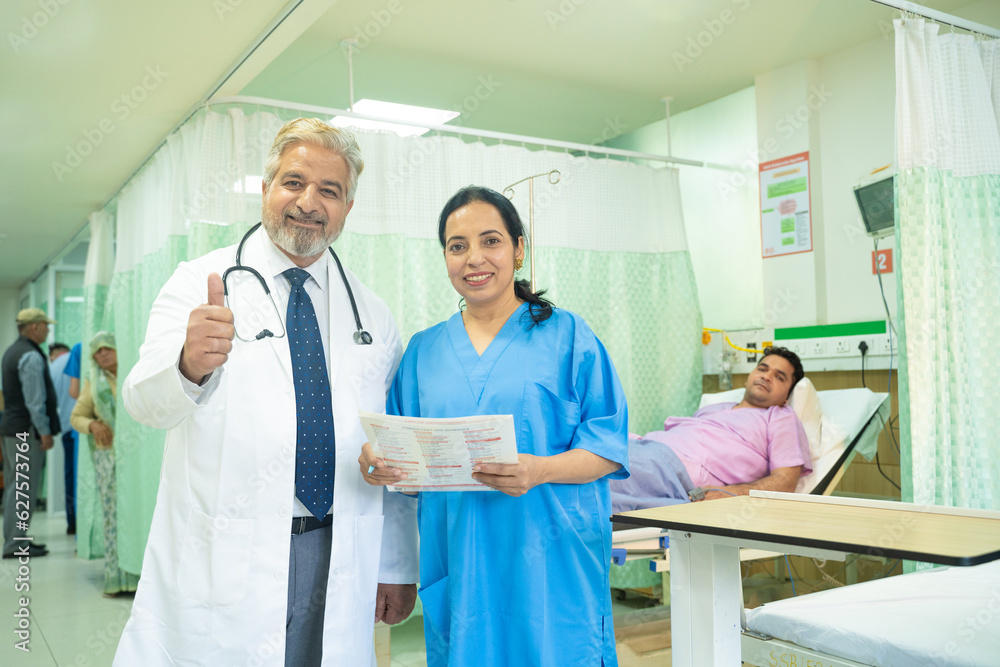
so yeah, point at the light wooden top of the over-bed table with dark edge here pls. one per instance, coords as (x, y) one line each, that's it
(903, 532)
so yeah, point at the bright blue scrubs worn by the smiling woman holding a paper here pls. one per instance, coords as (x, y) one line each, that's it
(519, 581)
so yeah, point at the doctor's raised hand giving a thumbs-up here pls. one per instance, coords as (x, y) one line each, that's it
(209, 335)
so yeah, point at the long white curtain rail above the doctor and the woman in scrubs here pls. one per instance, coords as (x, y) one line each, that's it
(483, 134)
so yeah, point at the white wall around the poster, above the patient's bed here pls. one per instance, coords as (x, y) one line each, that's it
(840, 109)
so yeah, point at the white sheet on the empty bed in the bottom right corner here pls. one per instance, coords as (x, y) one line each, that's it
(946, 616)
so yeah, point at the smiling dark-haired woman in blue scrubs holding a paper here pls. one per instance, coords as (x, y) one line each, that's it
(518, 577)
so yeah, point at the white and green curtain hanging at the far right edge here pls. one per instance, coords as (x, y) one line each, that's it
(948, 239)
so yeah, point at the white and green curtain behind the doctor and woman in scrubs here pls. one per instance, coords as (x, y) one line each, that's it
(610, 245)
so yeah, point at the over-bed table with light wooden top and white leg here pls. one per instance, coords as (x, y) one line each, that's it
(707, 614)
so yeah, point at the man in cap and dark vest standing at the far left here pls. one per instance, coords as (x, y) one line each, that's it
(31, 416)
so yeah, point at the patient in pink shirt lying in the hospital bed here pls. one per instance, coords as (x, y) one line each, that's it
(724, 449)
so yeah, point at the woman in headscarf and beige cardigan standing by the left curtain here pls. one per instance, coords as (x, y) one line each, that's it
(94, 416)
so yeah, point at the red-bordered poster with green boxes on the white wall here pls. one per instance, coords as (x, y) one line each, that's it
(785, 223)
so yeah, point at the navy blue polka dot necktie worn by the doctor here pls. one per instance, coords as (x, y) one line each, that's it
(315, 451)
